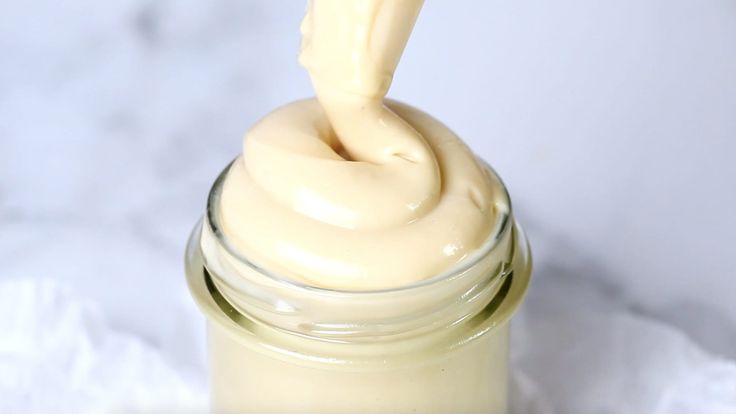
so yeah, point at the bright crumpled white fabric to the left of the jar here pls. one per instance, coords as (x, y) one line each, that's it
(59, 355)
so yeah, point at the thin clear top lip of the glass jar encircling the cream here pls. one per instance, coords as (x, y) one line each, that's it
(503, 224)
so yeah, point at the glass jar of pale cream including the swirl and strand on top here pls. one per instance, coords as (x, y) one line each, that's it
(357, 257)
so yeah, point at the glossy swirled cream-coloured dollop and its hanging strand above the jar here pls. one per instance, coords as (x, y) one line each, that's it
(349, 190)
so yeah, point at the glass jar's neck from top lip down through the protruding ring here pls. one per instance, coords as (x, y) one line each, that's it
(479, 293)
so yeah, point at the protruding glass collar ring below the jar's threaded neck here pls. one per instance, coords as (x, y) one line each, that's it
(240, 323)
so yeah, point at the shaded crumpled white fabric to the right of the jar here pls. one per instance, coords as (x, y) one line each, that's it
(578, 349)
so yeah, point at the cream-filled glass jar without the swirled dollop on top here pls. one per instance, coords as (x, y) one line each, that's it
(436, 346)
